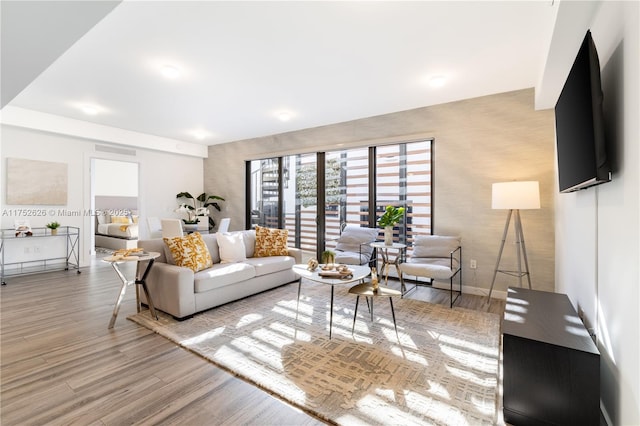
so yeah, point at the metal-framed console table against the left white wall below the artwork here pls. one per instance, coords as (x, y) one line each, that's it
(39, 252)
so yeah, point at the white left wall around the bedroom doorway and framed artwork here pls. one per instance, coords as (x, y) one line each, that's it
(162, 176)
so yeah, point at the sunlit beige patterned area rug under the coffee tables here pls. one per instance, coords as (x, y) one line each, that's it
(440, 368)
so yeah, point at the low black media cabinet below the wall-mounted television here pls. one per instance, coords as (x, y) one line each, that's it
(551, 364)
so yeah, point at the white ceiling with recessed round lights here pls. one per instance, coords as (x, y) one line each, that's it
(324, 62)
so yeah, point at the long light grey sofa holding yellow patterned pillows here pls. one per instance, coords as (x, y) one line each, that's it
(181, 292)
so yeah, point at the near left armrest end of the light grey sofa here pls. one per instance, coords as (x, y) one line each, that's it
(172, 289)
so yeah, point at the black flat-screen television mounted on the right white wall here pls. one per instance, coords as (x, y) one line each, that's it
(580, 135)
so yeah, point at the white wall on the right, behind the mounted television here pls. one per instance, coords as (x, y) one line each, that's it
(598, 230)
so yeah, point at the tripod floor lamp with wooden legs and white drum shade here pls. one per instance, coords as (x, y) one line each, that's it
(514, 196)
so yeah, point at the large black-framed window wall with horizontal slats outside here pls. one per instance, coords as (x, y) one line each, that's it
(318, 193)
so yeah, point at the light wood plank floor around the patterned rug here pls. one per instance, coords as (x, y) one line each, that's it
(60, 365)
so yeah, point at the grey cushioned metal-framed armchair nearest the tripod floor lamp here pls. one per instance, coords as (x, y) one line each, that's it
(435, 257)
